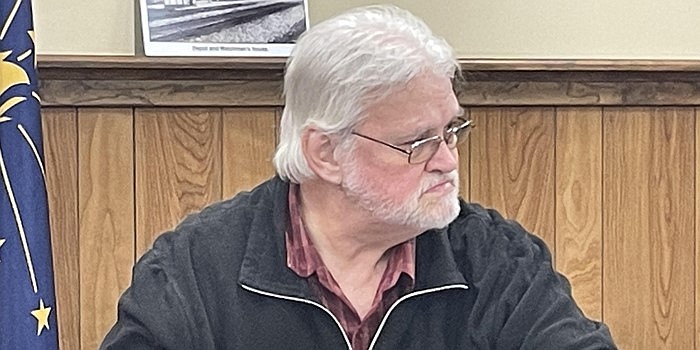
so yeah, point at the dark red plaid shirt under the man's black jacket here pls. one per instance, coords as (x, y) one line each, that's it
(304, 260)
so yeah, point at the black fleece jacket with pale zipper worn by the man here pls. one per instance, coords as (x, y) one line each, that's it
(219, 280)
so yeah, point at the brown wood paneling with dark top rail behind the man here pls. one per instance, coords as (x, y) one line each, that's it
(614, 191)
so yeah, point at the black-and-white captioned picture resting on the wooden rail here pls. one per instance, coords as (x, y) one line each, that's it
(222, 27)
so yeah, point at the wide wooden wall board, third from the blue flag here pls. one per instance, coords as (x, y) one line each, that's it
(178, 167)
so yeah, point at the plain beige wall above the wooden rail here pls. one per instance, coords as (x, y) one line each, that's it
(476, 28)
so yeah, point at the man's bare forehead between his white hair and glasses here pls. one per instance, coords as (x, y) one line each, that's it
(427, 101)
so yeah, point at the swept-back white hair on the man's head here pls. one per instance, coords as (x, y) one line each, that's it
(345, 64)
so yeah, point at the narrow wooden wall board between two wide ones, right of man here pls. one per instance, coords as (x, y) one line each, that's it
(578, 204)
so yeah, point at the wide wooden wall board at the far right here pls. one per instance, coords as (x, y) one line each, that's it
(648, 223)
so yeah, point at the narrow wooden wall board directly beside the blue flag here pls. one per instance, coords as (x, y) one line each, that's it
(61, 158)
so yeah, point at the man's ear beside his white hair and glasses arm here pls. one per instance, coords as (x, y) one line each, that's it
(318, 150)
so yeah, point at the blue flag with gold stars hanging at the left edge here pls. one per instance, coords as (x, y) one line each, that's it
(27, 301)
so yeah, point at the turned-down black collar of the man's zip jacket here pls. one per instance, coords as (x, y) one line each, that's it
(264, 264)
